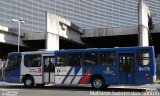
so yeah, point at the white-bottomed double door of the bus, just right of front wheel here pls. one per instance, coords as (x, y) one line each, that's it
(48, 69)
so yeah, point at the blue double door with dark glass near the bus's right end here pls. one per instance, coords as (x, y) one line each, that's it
(126, 68)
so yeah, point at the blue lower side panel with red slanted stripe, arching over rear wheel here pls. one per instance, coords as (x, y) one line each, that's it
(109, 74)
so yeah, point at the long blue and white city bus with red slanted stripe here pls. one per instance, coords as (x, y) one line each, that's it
(99, 67)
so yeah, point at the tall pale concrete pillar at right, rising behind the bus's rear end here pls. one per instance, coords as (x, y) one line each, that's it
(143, 20)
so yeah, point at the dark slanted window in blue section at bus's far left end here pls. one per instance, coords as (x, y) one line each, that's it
(14, 61)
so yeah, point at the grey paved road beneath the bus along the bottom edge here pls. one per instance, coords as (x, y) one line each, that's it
(19, 90)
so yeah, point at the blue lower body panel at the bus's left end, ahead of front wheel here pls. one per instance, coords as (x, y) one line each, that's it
(12, 75)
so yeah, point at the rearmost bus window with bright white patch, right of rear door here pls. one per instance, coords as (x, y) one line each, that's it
(143, 57)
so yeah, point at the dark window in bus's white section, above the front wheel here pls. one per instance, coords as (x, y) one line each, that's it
(32, 60)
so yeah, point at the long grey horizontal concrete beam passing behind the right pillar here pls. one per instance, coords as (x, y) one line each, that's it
(100, 32)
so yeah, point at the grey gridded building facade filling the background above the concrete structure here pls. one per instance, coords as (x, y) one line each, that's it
(87, 14)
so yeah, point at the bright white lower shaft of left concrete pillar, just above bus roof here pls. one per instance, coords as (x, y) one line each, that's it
(52, 42)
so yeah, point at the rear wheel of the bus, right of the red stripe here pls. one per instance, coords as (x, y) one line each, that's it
(98, 83)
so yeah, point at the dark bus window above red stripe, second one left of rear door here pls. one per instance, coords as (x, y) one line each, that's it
(90, 59)
